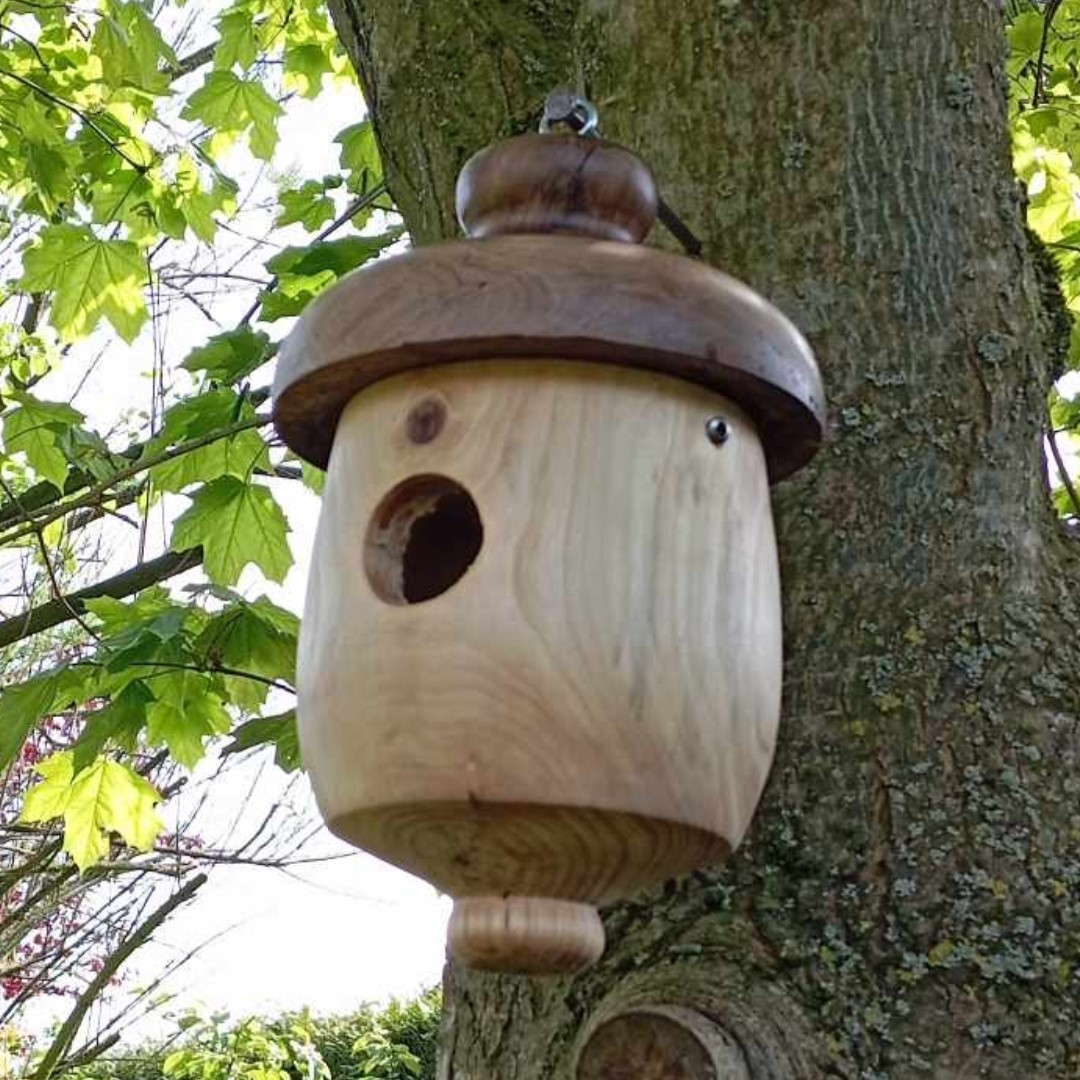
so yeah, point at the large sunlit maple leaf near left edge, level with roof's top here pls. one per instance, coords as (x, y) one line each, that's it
(90, 279)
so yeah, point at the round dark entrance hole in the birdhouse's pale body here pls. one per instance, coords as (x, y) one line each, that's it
(423, 538)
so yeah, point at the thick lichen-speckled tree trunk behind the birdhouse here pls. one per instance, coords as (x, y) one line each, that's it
(909, 902)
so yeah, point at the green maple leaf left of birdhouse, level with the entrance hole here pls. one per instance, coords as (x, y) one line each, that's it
(236, 524)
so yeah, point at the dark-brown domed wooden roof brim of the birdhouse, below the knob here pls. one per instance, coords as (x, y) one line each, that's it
(531, 298)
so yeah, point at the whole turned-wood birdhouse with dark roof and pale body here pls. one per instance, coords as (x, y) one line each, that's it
(541, 658)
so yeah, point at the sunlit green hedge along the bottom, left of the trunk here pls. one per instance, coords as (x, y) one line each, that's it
(397, 1043)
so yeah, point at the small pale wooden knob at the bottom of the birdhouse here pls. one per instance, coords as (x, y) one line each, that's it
(525, 935)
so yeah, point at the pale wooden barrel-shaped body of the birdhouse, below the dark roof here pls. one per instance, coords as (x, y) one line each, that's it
(592, 708)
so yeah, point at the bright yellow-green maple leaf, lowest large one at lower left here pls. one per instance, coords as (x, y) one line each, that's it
(106, 798)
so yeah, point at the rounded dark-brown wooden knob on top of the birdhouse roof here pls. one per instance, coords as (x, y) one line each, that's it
(557, 184)
